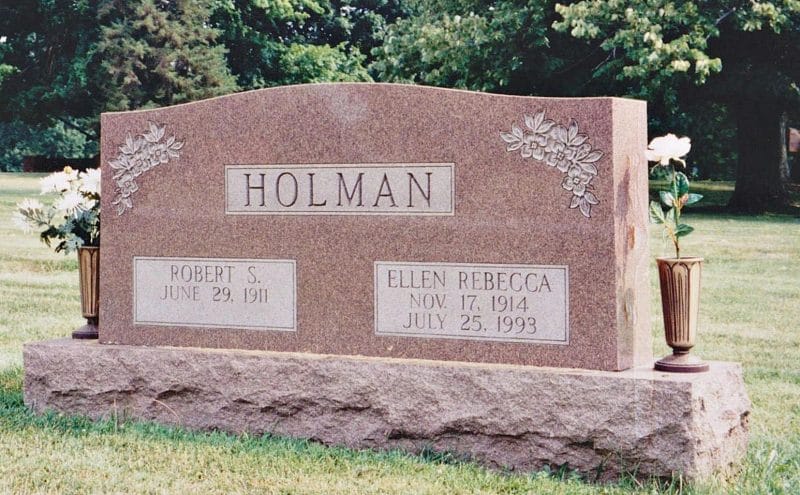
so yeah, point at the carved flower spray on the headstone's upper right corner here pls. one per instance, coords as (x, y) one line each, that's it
(561, 147)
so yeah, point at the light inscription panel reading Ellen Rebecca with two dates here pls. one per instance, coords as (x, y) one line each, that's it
(509, 303)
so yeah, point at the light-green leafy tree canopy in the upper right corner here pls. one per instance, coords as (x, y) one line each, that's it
(656, 46)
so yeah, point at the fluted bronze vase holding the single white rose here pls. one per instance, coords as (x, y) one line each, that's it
(680, 301)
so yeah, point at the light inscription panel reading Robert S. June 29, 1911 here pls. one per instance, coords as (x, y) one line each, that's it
(213, 292)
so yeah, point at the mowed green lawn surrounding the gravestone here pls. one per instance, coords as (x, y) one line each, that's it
(750, 313)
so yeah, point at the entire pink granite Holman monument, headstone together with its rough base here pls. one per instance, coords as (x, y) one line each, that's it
(385, 266)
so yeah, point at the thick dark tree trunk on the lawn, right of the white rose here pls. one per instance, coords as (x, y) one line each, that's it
(762, 174)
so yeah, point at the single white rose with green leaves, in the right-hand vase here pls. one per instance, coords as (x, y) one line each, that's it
(665, 150)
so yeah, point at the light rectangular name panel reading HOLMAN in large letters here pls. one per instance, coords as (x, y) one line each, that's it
(333, 189)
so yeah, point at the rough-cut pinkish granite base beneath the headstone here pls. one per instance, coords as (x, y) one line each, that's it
(517, 417)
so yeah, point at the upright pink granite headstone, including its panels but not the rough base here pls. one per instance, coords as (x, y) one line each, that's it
(381, 220)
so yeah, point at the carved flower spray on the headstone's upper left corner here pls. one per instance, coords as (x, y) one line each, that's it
(137, 156)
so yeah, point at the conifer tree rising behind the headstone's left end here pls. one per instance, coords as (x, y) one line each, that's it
(156, 53)
